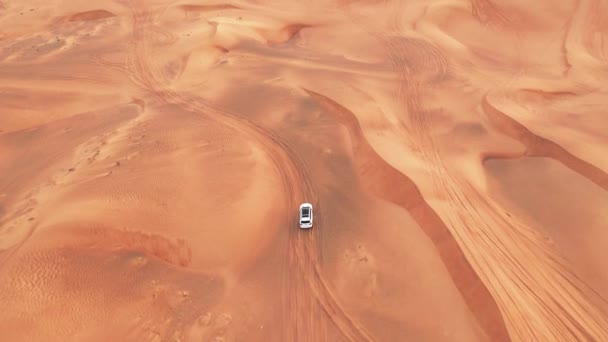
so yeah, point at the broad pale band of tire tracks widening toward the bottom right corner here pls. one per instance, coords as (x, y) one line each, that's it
(539, 296)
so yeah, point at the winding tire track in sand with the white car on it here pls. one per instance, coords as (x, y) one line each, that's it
(309, 298)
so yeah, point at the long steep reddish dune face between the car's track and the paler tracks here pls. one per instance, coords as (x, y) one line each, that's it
(388, 183)
